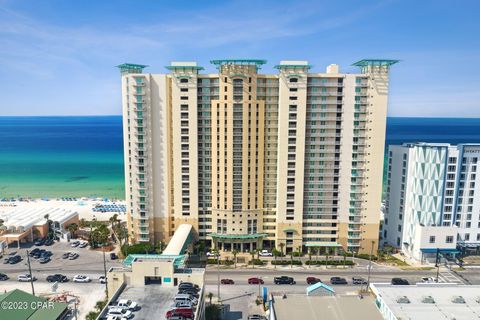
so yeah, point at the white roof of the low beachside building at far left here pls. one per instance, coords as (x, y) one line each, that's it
(20, 219)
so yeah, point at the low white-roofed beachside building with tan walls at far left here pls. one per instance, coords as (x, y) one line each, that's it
(23, 224)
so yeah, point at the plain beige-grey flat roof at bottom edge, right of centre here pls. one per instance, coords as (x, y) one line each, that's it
(296, 306)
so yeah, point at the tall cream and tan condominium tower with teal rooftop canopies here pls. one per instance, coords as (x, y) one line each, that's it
(291, 160)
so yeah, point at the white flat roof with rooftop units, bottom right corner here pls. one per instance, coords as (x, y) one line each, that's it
(441, 307)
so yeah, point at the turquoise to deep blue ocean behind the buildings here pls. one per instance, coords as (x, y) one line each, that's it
(83, 156)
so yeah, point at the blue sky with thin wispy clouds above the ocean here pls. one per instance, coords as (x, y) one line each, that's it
(59, 57)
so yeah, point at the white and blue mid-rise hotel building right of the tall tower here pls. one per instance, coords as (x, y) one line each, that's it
(432, 199)
